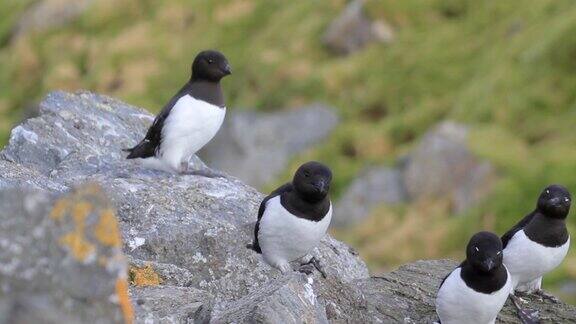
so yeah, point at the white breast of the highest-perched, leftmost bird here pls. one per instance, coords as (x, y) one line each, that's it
(191, 124)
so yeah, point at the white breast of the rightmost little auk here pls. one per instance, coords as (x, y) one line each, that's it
(527, 260)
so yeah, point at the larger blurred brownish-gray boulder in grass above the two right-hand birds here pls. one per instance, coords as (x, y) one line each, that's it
(442, 165)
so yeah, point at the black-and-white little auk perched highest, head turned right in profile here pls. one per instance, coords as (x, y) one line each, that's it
(189, 120)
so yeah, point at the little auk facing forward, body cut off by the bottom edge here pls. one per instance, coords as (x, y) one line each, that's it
(476, 291)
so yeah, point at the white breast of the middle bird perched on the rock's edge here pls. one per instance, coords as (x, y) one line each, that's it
(285, 237)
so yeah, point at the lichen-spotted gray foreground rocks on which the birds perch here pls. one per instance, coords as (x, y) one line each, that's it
(183, 236)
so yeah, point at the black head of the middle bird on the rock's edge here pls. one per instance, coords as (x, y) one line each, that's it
(312, 181)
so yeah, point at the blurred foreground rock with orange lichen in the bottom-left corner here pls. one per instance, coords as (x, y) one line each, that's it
(61, 263)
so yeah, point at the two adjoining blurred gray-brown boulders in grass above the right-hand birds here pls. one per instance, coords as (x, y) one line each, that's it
(441, 166)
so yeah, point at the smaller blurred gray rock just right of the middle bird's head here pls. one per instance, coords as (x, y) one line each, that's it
(372, 187)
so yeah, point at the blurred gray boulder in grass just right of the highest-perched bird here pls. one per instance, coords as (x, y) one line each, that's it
(256, 147)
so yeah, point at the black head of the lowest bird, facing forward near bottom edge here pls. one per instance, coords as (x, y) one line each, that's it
(484, 252)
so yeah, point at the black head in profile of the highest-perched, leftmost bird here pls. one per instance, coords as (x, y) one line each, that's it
(210, 66)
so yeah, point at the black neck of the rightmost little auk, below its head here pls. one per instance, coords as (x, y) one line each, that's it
(547, 231)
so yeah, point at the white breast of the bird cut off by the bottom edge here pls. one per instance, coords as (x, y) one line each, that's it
(457, 303)
